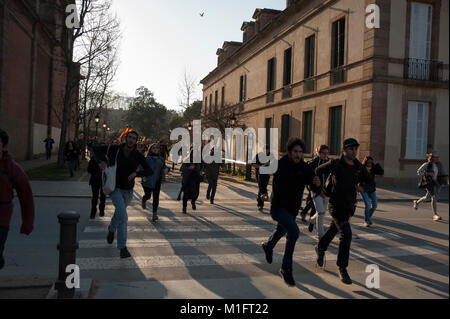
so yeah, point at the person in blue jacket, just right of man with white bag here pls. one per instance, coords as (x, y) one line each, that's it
(152, 184)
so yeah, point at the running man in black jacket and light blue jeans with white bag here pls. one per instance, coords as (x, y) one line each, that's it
(128, 160)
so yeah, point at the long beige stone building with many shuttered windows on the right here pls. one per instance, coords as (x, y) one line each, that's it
(320, 71)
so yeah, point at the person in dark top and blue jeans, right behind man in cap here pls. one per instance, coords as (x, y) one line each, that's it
(369, 187)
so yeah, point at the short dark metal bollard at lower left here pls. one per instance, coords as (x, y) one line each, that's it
(67, 247)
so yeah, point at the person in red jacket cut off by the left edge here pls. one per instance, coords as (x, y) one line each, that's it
(12, 176)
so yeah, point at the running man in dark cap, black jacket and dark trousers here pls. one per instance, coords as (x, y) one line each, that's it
(347, 173)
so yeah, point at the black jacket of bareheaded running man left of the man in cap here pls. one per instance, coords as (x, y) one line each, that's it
(289, 184)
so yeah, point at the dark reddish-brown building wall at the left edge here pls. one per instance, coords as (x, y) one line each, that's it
(32, 75)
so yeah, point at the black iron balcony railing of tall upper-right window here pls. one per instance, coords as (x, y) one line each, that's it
(425, 70)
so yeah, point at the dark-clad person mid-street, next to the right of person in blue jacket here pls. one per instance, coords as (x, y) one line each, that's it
(191, 178)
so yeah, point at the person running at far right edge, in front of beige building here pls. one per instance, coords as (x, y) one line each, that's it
(432, 178)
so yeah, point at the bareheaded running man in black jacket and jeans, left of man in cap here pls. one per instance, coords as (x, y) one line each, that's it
(288, 184)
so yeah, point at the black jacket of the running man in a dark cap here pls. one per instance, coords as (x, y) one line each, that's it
(343, 182)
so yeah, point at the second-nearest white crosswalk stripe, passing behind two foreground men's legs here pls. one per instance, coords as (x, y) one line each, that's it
(197, 242)
